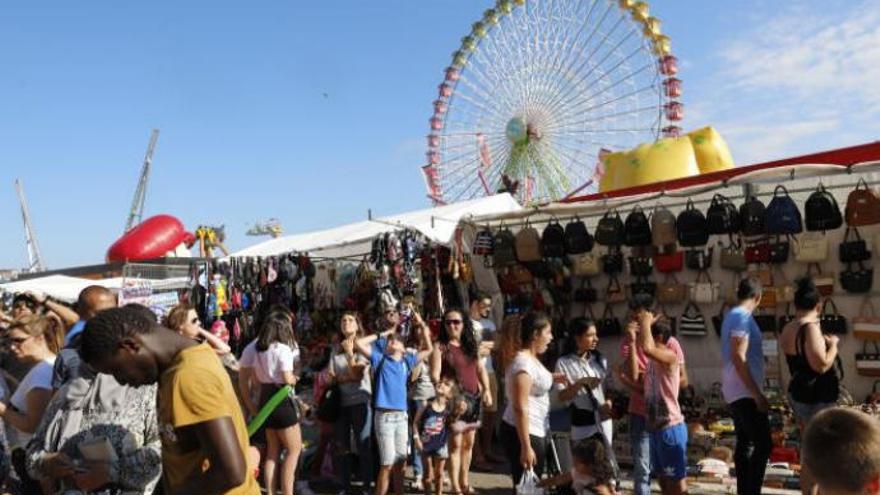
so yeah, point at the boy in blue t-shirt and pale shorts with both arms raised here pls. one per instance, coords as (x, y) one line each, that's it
(392, 365)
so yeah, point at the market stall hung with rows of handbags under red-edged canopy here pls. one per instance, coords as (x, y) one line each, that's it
(688, 242)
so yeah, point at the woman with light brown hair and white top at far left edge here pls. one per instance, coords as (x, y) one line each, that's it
(34, 340)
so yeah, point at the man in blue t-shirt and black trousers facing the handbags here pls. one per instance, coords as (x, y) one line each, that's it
(742, 359)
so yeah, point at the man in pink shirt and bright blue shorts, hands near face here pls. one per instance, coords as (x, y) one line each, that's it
(662, 379)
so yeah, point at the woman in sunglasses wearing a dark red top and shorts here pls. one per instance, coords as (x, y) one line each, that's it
(457, 356)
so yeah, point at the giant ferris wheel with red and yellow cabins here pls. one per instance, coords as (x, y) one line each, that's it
(539, 91)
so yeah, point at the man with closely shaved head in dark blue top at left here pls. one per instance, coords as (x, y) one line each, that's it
(92, 300)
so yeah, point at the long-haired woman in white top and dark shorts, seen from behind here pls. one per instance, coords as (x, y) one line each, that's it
(274, 365)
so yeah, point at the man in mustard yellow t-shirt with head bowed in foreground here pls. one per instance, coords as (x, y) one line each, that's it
(204, 438)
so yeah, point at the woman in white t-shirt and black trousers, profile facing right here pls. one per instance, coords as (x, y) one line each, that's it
(527, 385)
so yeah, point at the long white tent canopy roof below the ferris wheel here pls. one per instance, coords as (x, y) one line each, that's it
(438, 224)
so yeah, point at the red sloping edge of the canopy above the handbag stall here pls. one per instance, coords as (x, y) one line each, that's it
(843, 157)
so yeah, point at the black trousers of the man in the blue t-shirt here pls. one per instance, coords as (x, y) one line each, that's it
(752, 446)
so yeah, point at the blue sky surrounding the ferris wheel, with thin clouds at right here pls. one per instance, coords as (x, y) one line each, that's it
(247, 133)
